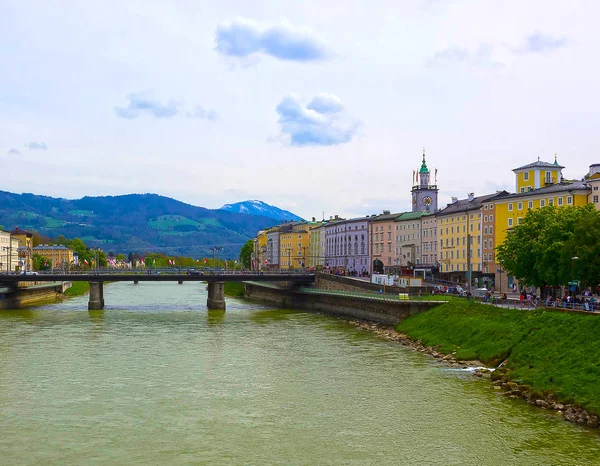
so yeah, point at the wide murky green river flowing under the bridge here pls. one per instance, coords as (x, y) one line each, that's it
(155, 378)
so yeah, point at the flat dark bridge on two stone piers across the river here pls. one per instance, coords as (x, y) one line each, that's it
(216, 281)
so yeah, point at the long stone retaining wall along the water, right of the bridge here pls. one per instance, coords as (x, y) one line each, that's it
(382, 312)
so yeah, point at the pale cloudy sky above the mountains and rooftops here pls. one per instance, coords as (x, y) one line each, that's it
(320, 108)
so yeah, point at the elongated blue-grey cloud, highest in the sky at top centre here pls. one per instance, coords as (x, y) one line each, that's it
(243, 37)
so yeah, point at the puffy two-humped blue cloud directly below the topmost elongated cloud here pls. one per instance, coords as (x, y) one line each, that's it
(320, 123)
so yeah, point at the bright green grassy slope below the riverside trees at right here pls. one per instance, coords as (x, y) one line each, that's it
(551, 351)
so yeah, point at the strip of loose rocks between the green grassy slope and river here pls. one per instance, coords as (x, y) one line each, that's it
(500, 378)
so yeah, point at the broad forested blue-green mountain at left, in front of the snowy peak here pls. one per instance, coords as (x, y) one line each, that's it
(133, 222)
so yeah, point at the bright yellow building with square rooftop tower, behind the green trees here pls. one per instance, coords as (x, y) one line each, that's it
(539, 184)
